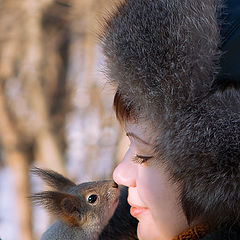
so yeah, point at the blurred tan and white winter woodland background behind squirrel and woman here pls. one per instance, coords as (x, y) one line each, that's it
(55, 104)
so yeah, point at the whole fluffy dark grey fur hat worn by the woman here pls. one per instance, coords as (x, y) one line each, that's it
(164, 57)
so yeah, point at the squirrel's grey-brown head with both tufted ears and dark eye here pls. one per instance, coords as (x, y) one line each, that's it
(87, 205)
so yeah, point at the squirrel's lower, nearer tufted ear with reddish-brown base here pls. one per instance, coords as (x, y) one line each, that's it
(66, 207)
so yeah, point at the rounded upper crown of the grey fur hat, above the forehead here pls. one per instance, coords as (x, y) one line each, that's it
(162, 53)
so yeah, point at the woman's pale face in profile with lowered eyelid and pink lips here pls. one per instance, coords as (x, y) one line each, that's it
(153, 198)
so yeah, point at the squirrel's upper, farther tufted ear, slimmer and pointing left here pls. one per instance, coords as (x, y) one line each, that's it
(53, 179)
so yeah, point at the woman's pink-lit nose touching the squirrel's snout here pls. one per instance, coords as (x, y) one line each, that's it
(125, 172)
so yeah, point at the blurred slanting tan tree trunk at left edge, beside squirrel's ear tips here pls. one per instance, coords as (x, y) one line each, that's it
(17, 160)
